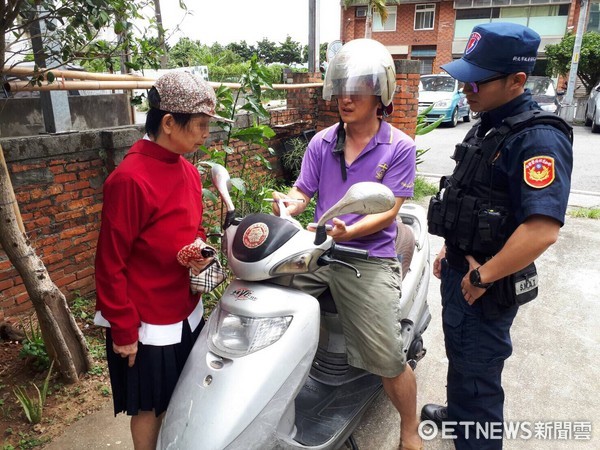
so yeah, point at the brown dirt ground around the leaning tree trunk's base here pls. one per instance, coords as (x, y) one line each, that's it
(64, 403)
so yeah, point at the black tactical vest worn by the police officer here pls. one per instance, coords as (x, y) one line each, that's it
(472, 211)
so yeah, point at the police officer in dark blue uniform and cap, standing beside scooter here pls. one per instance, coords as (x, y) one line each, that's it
(501, 208)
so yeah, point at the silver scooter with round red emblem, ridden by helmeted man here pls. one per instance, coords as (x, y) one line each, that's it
(269, 370)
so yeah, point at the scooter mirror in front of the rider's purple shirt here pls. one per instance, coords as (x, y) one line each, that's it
(362, 198)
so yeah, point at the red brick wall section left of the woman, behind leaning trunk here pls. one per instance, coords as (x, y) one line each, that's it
(58, 189)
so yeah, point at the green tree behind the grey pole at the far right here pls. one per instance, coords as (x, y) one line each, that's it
(560, 56)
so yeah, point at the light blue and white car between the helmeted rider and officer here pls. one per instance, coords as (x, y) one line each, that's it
(446, 95)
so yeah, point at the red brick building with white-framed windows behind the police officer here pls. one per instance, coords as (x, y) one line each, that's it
(436, 32)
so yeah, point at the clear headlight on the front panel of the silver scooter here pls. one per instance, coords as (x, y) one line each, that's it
(236, 336)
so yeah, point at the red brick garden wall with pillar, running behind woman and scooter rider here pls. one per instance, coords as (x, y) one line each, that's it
(58, 181)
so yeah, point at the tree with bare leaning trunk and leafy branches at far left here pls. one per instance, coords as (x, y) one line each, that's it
(67, 32)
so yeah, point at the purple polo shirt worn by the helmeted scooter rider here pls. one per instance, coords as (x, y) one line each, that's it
(389, 158)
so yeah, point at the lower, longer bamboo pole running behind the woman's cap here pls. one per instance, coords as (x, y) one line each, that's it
(91, 85)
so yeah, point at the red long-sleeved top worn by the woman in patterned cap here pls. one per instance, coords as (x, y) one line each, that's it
(152, 208)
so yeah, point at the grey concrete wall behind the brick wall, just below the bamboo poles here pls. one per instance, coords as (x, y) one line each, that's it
(22, 116)
